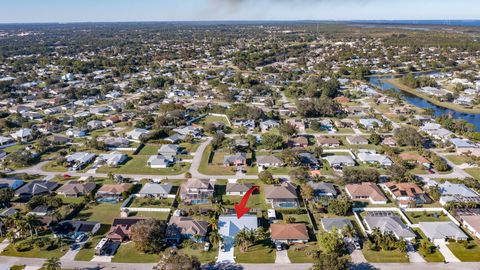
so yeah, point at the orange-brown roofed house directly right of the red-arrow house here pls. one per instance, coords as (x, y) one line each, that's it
(294, 233)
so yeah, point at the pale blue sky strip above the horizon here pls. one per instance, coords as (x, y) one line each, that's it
(12, 11)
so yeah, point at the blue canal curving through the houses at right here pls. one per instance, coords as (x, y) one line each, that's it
(421, 103)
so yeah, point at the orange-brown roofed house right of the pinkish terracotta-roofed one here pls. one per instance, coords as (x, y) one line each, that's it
(406, 194)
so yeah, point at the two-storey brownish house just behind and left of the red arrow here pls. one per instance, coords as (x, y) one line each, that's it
(196, 191)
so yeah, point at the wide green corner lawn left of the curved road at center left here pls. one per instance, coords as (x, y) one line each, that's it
(138, 165)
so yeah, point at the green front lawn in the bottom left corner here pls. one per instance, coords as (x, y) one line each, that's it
(36, 252)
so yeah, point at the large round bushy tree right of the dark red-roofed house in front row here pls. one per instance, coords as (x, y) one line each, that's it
(148, 235)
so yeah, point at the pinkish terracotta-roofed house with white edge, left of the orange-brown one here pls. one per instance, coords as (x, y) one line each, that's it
(367, 192)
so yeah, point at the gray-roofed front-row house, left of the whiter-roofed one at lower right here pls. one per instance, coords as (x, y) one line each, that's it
(392, 224)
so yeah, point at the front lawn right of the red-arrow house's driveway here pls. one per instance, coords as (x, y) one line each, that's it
(260, 253)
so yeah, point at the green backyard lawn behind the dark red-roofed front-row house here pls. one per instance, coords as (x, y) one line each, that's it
(101, 212)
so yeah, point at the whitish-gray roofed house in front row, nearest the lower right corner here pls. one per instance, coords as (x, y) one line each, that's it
(439, 232)
